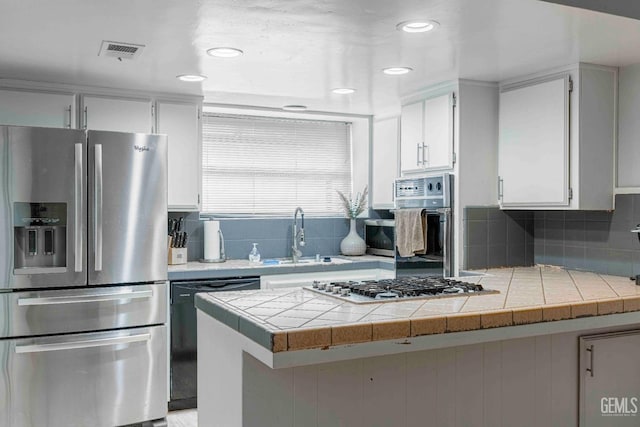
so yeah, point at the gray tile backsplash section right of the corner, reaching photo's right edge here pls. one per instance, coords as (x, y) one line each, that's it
(598, 241)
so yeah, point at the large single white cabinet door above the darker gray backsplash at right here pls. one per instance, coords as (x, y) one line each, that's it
(534, 144)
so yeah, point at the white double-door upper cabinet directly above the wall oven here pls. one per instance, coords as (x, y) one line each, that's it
(426, 137)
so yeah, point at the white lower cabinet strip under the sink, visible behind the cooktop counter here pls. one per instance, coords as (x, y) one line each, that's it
(275, 281)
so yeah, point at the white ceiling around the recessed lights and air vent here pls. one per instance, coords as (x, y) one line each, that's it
(297, 51)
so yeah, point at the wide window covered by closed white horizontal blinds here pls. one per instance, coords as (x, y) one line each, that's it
(270, 166)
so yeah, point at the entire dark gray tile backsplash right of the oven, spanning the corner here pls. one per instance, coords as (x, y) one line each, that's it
(598, 241)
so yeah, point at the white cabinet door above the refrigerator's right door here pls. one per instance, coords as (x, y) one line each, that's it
(117, 114)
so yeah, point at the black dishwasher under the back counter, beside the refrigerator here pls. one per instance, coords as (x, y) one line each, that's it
(184, 348)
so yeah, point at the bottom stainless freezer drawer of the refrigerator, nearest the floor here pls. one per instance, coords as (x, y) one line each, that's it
(98, 379)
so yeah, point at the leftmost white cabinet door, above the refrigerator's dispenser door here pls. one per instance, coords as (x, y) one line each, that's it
(34, 108)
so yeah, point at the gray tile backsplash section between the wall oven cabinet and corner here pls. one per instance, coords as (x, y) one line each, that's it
(497, 238)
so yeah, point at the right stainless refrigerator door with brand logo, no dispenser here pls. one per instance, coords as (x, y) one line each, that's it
(127, 207)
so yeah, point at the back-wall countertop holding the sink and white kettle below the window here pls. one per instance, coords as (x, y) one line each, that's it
(241, 267)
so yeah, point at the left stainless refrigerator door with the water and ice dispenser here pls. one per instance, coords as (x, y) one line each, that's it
(42, 207)
